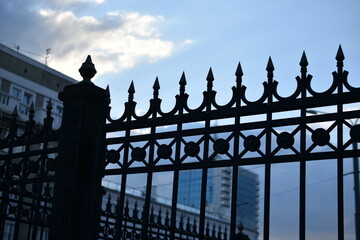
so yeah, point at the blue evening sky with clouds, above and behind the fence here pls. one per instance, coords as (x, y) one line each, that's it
(137, 40)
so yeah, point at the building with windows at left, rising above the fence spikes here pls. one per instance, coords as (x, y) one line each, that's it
(24, 81)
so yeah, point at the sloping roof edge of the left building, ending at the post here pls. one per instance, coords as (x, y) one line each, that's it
(35, 63)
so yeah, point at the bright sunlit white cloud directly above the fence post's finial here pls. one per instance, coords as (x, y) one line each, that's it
(116, 42)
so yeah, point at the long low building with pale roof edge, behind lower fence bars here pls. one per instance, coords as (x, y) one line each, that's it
(187, 218)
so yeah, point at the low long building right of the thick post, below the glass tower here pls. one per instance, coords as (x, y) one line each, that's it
(186, 216)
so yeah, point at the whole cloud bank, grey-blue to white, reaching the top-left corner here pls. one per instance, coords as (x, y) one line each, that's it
(116, 41)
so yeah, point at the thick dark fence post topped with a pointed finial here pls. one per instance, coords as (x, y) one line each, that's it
(77, 190)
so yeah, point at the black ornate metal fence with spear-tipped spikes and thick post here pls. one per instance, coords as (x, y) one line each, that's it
(93, 145)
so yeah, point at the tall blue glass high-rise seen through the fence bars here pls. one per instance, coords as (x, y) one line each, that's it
(218, 195)
